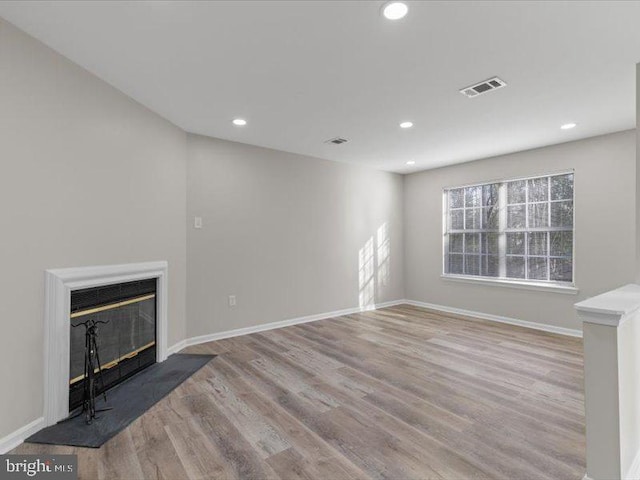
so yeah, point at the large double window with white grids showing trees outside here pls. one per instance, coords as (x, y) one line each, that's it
(518, 229)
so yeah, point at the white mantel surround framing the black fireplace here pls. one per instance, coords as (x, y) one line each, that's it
(59, 285)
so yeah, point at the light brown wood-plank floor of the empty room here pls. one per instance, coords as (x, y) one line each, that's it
(399, 393)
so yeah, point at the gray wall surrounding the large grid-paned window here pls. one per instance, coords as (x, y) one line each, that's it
(605, 215)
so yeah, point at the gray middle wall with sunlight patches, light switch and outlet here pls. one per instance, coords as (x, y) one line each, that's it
(284, 233)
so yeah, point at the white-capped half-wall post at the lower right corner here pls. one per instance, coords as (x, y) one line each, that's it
(611, 332)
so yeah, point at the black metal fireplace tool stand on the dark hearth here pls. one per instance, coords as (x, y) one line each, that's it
(92, 372)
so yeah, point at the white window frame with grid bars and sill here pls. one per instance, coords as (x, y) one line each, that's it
(502, 280)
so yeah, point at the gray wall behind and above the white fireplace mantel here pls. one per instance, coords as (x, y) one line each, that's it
(88, 177)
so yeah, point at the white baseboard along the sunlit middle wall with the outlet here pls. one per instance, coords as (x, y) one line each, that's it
(274, 325)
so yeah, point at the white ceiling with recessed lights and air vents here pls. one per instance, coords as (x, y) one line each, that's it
(302, 72)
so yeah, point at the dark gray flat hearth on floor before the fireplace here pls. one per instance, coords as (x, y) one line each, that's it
(129, 400)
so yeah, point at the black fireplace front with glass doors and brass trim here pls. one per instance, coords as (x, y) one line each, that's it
(126, 343)
